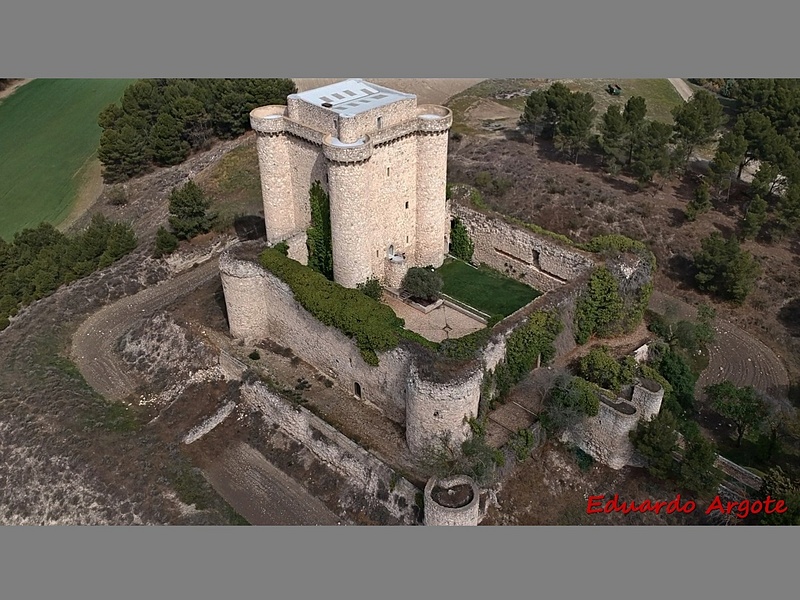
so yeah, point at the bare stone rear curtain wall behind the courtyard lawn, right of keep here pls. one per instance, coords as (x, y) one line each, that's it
(544, 263)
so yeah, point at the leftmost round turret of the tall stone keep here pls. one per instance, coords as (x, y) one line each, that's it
(275, 169)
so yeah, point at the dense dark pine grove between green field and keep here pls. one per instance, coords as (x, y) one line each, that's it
(162, 121)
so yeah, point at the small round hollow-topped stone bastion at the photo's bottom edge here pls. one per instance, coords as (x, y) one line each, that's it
(452, 501)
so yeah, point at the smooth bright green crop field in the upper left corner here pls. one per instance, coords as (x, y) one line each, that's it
(48, 135)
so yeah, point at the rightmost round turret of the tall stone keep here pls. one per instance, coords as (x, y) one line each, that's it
(433, 123)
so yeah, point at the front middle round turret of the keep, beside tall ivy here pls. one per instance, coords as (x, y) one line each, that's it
(351, 213)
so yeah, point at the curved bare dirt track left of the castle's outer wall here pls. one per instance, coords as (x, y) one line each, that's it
(94, 343)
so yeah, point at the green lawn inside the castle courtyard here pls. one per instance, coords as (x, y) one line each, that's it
(484, 289)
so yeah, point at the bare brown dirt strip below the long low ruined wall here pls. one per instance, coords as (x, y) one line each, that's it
(260, 492)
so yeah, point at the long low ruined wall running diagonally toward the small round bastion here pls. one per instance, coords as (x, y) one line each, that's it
(380, 485)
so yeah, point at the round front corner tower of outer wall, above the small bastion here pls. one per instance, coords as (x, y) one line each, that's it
(437, 409)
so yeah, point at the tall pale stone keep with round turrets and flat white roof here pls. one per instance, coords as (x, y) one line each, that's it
(381, 158)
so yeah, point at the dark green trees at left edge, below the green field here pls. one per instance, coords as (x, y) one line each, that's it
(39, 260)
